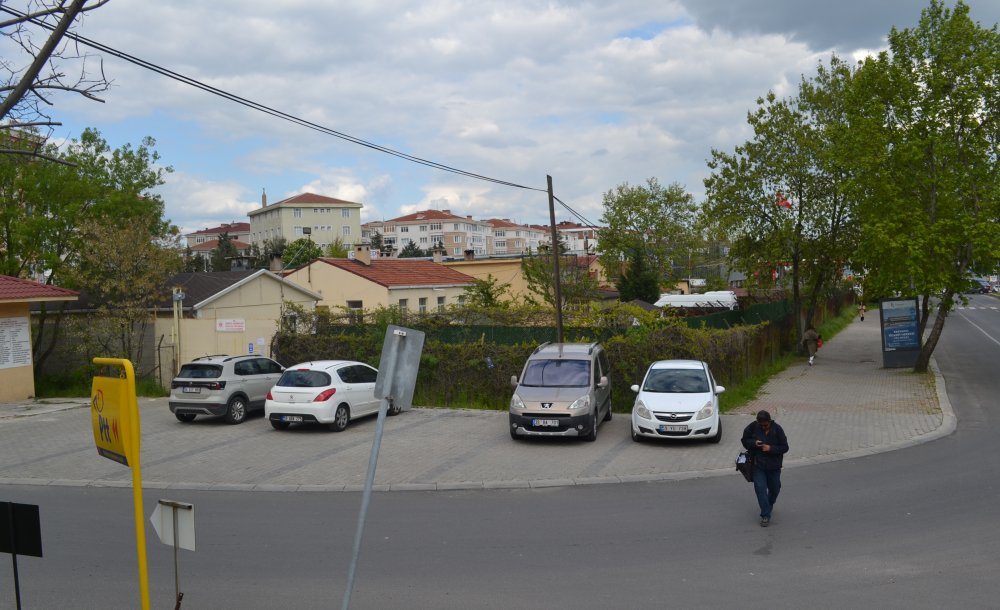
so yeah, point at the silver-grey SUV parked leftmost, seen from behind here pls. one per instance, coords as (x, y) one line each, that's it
(230, 386)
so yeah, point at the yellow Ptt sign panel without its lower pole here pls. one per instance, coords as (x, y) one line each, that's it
(112, 405)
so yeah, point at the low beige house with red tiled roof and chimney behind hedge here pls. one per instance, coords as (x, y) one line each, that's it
(360, 282)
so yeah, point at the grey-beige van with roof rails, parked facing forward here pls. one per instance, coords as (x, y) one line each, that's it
(564, 390)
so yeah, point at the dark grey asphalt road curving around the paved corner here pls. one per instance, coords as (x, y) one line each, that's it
(914, 528)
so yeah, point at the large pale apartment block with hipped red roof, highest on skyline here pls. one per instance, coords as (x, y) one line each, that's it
(325, 218)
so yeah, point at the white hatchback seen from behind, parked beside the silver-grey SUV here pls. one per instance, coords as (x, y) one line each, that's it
(328, 392)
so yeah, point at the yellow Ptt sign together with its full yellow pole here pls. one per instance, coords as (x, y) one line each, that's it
(114, 416)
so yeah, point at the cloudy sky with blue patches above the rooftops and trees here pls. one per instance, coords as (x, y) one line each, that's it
(594, 94)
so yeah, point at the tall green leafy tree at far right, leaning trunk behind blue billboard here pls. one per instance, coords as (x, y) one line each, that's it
(928, 178)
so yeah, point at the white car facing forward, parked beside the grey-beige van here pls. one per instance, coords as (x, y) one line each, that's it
(677, 399)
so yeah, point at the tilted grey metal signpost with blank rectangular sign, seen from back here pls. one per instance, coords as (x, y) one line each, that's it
(397, 375)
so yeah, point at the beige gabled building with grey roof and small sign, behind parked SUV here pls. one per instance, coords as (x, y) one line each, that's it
(234, 312)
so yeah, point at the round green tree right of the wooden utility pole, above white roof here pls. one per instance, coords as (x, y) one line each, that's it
(652, 218)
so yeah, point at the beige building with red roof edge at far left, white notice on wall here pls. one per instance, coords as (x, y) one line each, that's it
(17, 379)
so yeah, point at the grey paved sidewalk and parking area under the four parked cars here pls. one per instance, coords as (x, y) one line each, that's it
(844, 406)
